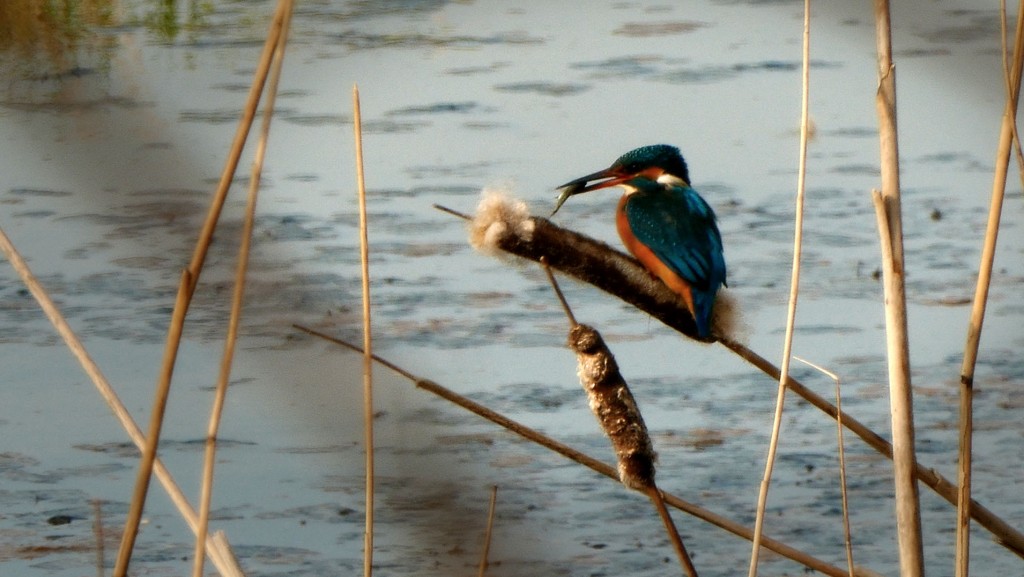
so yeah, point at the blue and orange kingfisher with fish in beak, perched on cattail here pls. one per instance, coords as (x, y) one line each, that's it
(670, 229)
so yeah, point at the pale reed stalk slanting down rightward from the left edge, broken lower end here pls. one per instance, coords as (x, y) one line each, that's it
(224, 558)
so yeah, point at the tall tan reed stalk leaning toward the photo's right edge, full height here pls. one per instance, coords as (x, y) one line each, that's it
(1007, 137)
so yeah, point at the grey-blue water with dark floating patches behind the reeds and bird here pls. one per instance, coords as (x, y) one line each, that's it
(107, 175)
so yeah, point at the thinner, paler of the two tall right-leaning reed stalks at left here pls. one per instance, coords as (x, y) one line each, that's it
(238, 299)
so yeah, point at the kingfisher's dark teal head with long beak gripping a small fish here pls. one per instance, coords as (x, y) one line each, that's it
(661, 163)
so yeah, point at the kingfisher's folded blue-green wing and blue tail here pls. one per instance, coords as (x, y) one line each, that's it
(682, 231)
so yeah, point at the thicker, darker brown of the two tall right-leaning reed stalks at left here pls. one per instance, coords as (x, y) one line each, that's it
(186, 295)
